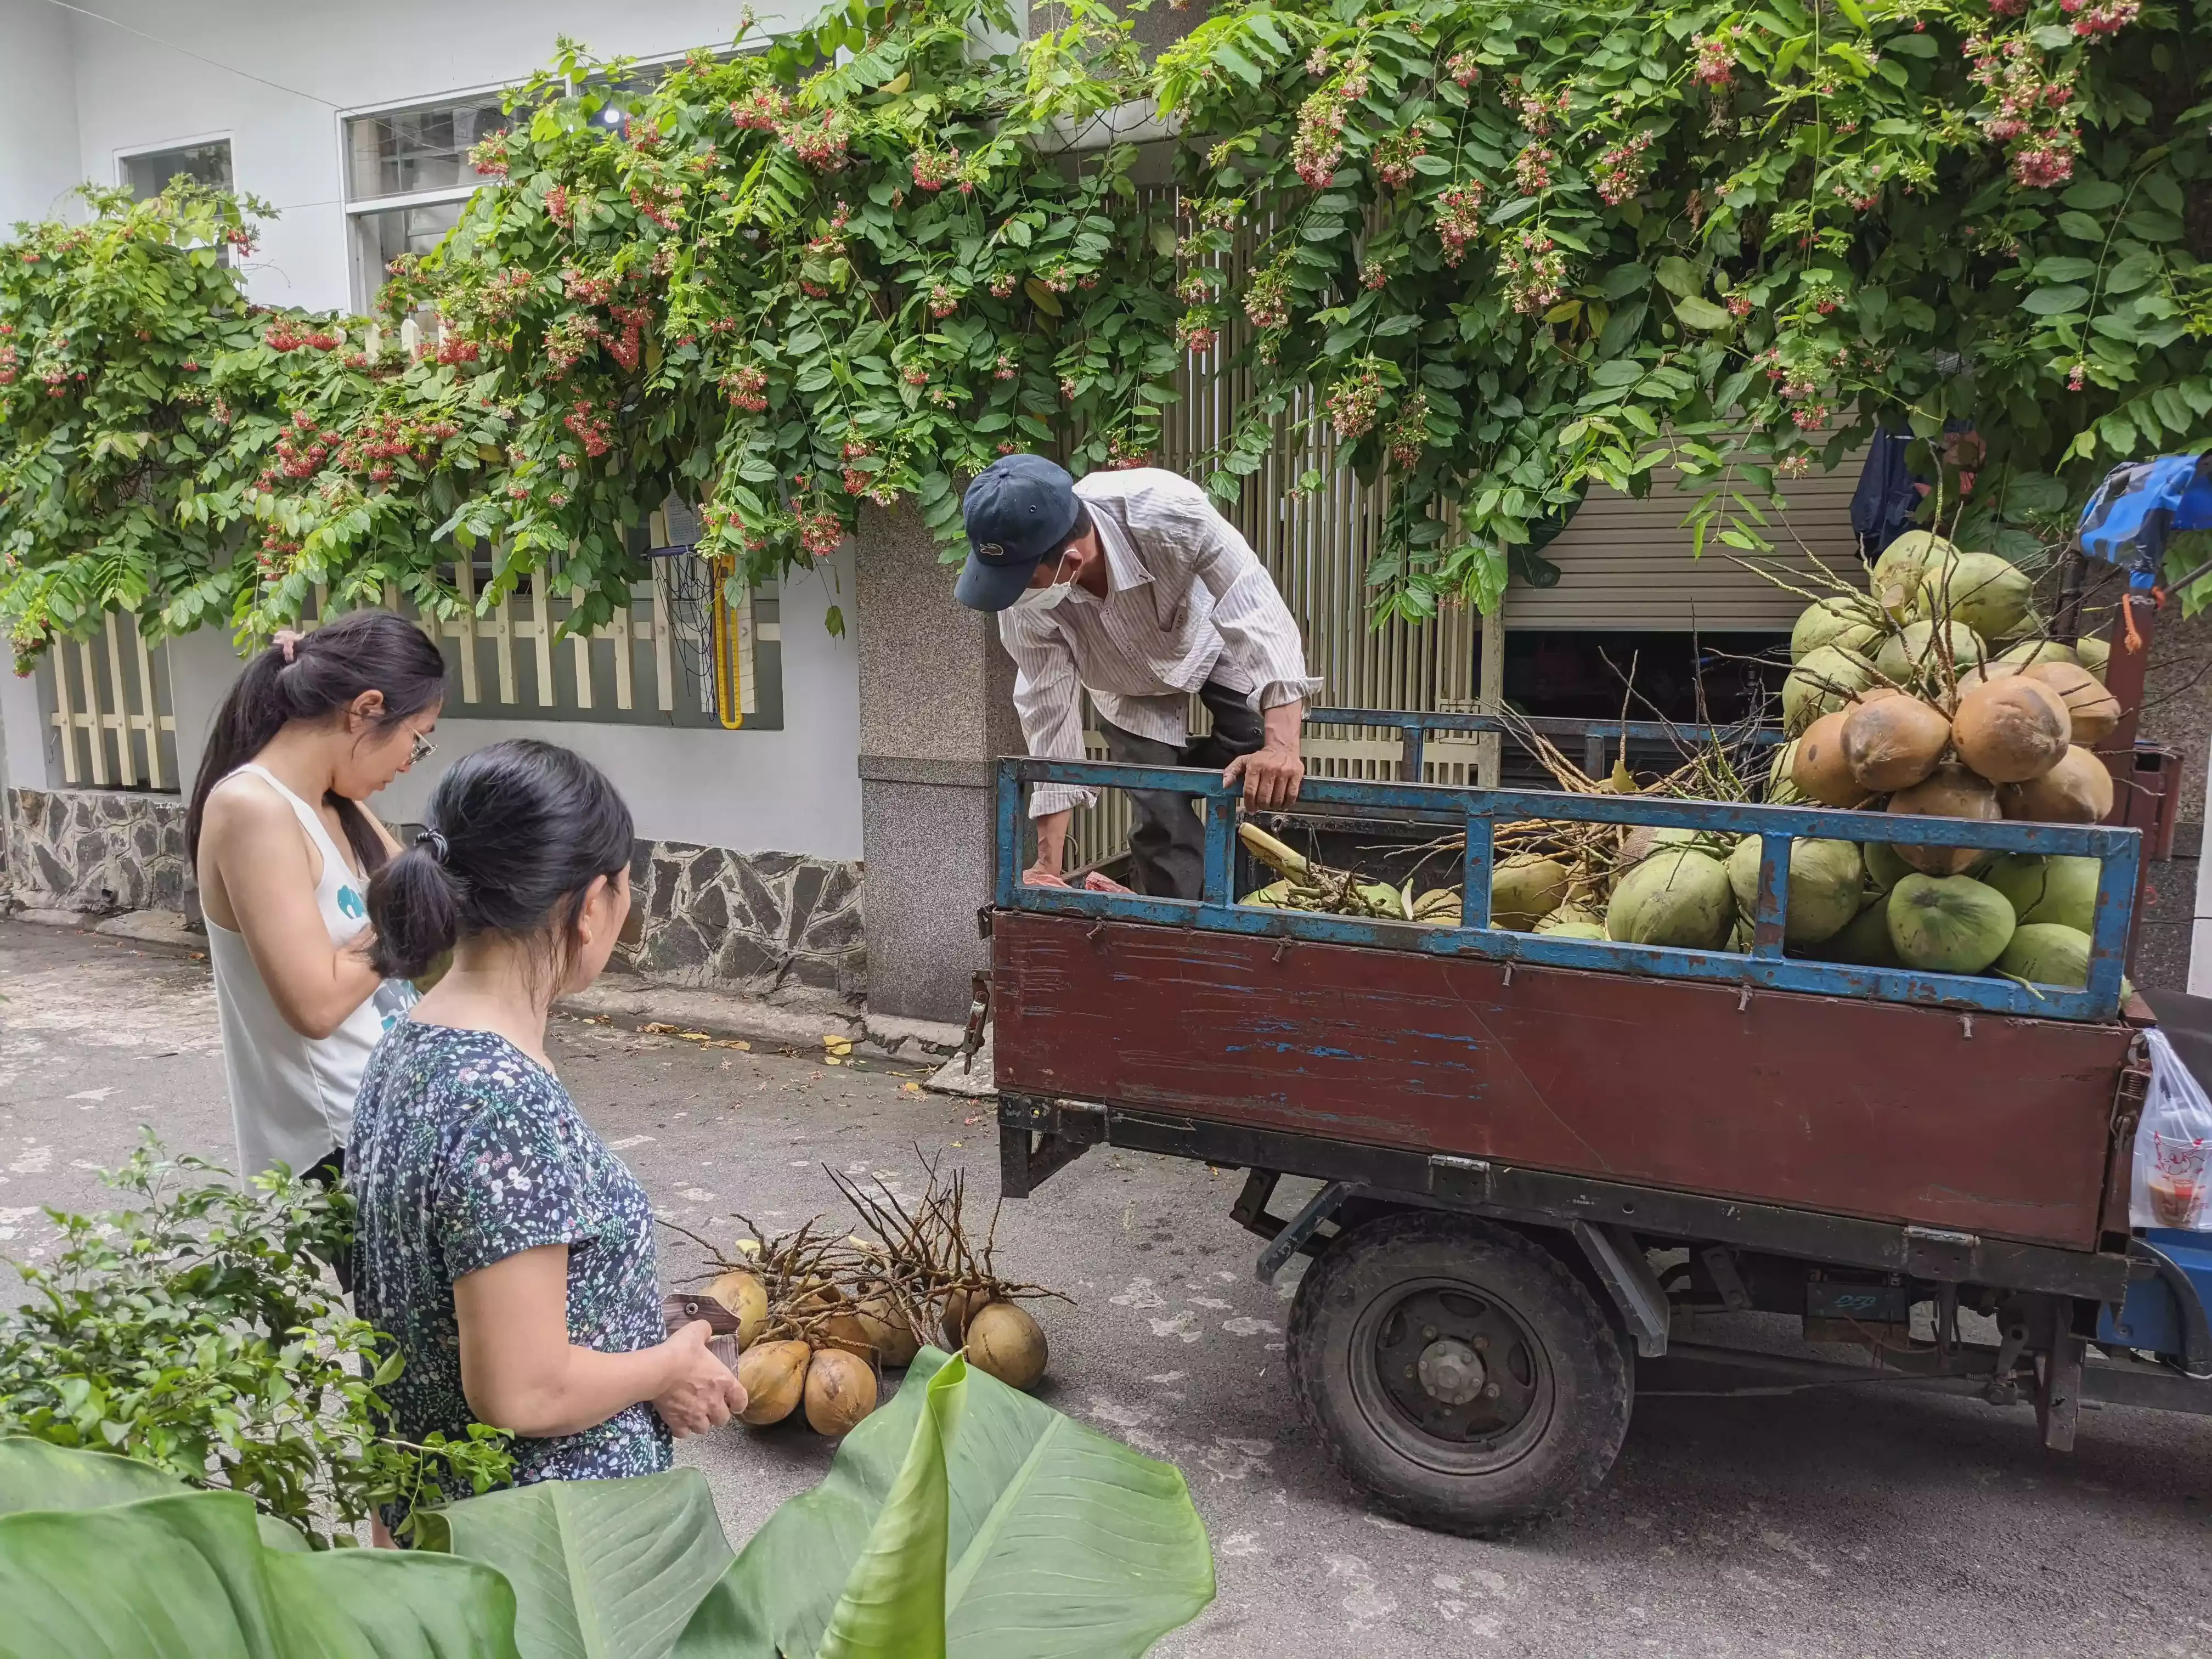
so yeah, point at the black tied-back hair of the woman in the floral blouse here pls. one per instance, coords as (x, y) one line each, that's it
(517, 837)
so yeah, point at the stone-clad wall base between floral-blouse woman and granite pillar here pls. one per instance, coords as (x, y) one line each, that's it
(753, 924)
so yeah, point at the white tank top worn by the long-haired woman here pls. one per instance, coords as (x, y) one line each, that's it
(291, 1096)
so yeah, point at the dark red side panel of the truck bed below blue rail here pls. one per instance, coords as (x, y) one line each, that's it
(1828, 1105)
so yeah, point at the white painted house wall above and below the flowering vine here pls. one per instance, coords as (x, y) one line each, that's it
(79, 94)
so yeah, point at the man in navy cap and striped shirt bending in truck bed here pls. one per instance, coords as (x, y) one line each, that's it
(1129, 585)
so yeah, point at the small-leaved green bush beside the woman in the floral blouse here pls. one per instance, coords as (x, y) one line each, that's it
(200, 1333)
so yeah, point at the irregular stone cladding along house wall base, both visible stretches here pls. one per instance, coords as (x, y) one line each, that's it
(702, 917)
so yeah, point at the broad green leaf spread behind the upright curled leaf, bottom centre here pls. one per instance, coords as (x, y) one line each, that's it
(1061, 1543)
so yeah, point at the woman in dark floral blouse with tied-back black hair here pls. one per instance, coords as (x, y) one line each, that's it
(501, 1244)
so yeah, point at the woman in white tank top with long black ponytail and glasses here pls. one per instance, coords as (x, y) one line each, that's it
(284, 853)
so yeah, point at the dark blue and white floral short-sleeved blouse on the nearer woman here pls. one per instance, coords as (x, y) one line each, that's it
(466, 1151)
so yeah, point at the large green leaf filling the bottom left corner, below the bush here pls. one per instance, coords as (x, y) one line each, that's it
(187, 1574)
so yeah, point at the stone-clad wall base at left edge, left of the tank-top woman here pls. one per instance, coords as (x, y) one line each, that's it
(98, 851)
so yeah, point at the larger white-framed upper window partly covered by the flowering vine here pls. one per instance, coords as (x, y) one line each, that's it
(408, 178)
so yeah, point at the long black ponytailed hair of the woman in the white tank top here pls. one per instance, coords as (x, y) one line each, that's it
(322, 676)
